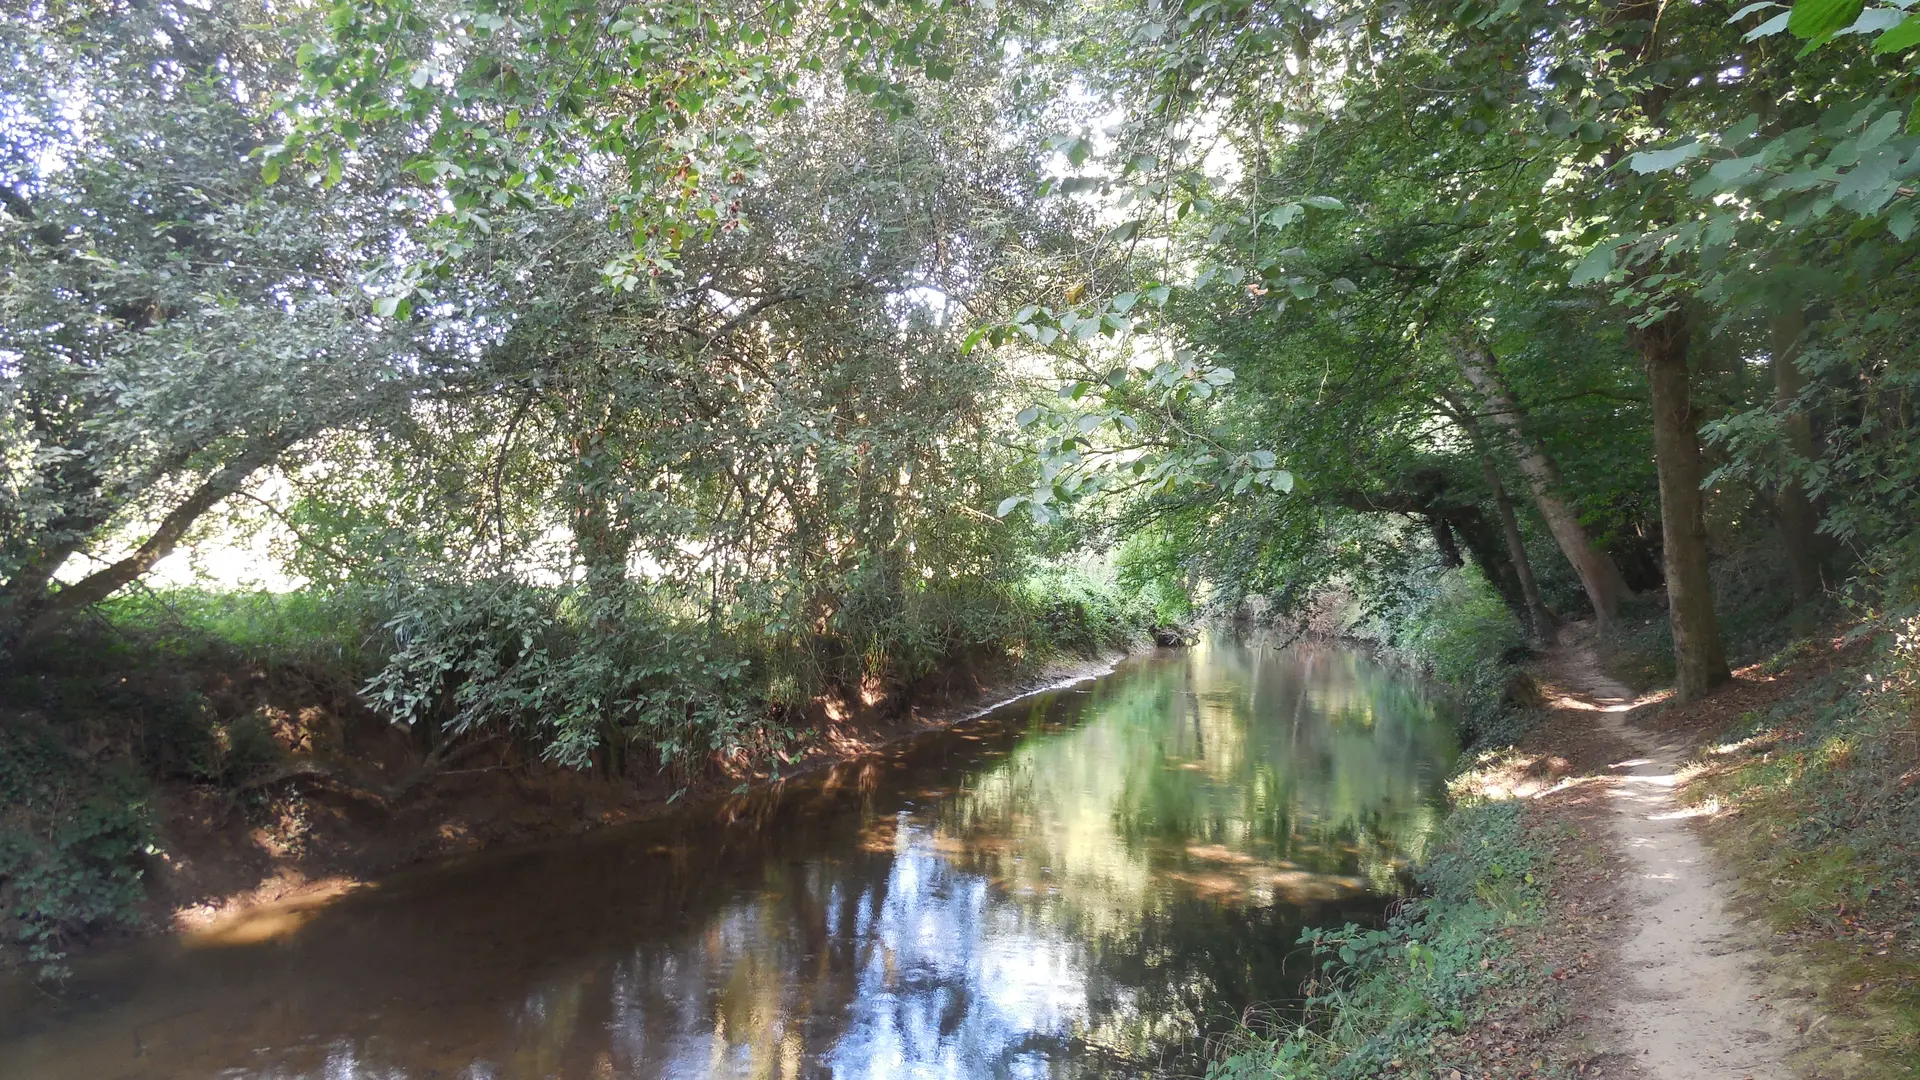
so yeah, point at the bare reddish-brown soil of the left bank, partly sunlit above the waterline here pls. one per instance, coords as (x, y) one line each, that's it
(322, 825)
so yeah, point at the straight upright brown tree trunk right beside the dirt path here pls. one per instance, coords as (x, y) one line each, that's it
(1700, 658)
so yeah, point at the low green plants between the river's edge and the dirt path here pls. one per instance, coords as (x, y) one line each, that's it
(1383, 996)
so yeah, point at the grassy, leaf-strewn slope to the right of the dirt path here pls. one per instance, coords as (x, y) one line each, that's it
(1819, 818)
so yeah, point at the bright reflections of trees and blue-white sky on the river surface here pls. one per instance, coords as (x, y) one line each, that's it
(1095, 902)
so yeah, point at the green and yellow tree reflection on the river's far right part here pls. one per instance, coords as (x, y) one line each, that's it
(1199, 820)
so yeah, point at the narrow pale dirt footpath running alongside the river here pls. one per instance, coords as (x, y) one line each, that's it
(1691, 1002)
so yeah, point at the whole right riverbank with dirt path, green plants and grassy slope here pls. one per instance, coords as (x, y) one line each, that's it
(1646, 889)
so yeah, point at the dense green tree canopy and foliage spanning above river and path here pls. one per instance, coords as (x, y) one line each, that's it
(642, 383)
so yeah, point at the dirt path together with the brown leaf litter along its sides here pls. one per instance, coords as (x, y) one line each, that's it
(1654, 958)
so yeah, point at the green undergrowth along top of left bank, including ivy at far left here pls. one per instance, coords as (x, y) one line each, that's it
(183, 687)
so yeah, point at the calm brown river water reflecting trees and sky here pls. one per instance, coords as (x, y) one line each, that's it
(1088, 883)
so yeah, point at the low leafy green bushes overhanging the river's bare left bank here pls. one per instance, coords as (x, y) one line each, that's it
(633, 672)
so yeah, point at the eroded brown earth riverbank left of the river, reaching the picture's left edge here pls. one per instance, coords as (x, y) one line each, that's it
(341, 800)
